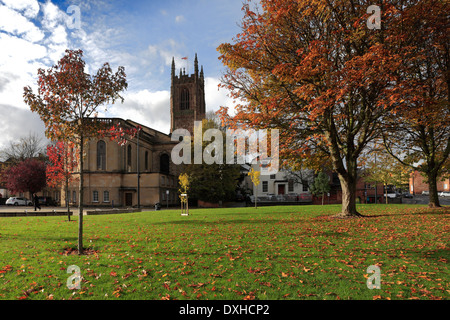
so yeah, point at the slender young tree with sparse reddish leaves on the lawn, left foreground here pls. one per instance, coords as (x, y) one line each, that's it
(68, 100)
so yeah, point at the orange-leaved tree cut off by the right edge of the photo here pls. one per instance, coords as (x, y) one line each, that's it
(419, 134)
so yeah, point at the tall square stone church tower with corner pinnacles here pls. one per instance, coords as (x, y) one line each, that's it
(187, 98)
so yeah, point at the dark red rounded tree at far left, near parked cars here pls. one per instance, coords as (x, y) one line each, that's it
(26, 176)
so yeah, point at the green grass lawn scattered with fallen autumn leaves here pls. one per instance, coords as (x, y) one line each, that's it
(292, 252)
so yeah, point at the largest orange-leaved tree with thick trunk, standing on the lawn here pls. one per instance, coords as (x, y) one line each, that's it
(315, 71)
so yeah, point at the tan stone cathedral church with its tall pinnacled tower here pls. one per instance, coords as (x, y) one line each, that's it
(141, 173)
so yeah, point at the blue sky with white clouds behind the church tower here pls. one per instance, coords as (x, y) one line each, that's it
(141, 35)
